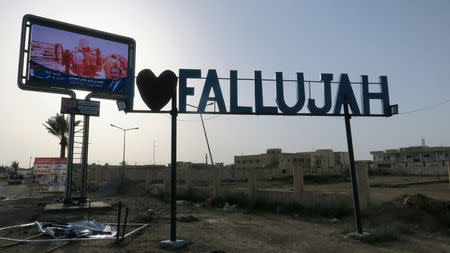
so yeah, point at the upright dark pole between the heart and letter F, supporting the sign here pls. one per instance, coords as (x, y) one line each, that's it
(173, 194)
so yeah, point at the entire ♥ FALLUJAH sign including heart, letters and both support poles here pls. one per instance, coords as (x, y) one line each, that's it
(156, 92)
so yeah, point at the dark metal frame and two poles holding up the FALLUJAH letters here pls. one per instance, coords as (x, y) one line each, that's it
(388, 111)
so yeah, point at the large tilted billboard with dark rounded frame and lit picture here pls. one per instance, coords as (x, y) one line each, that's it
(60, 55)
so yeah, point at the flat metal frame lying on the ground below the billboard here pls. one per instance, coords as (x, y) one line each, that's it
(141, 226)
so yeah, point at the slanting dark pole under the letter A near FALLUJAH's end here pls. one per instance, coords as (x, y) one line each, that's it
(352, 169)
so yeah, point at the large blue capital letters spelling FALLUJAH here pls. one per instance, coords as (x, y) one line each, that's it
(344, 95)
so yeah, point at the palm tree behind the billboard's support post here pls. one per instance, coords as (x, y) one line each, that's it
(59, 126)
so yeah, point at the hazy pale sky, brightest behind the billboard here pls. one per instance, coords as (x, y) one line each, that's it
(408, 41)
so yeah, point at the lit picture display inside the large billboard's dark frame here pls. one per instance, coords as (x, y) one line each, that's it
(77, 60)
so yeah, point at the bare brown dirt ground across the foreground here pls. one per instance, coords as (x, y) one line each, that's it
(215, 231)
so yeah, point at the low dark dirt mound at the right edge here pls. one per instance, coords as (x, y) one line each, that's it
(416, 211)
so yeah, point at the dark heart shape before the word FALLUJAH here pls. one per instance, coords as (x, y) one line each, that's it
(156, 91)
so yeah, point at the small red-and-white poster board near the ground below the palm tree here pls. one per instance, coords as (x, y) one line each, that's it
(51, 172)
